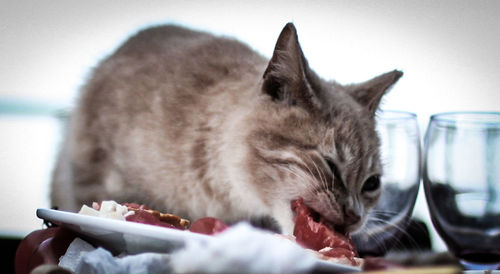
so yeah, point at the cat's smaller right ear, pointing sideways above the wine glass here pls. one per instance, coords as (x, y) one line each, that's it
(369, 93)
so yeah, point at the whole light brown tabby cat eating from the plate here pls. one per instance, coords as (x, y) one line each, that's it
(199, 125)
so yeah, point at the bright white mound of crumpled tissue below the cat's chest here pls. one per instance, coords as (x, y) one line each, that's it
(243, 249)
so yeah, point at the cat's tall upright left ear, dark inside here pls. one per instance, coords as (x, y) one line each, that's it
(285, 79)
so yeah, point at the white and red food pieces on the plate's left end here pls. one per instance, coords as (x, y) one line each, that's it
(133, 212)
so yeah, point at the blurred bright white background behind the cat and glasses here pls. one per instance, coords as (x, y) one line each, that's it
(448, 50)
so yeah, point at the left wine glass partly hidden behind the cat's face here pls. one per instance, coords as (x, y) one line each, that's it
(400, 156)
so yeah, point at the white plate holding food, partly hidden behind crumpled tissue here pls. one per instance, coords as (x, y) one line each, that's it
(132, 238)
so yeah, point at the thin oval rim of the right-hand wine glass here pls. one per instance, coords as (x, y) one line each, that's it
(489, 118)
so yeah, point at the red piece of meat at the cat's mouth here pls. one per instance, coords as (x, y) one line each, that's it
(320, 236)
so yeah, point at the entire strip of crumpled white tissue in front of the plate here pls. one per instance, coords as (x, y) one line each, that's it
(240, 249)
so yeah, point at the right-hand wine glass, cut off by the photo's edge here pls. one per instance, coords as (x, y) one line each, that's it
(462, 185)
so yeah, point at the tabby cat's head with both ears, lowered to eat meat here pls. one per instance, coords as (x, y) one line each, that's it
(316, 139)
